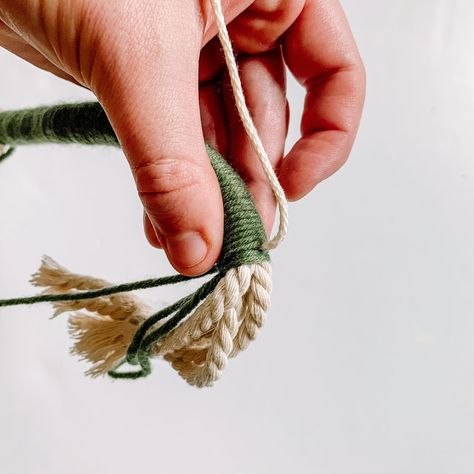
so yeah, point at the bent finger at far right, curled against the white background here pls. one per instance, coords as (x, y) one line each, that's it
(320, 51)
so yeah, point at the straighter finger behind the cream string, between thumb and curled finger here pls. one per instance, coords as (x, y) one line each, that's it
(263, 80)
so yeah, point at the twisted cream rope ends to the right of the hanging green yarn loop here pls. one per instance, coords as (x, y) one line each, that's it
(221, 327)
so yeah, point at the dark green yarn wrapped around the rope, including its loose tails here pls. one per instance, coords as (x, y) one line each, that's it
(244, 234)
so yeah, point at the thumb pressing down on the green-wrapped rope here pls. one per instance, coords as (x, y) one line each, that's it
(152, 101)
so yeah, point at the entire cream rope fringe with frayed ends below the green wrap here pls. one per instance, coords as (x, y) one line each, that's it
(198, 349)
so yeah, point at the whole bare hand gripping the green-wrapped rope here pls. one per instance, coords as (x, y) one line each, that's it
(161, 60)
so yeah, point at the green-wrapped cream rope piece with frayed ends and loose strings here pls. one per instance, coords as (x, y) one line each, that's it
(110, 325)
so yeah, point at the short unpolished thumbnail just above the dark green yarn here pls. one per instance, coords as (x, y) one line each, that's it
(186, 250)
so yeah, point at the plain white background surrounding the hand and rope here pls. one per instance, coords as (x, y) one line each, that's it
(366, 365)
